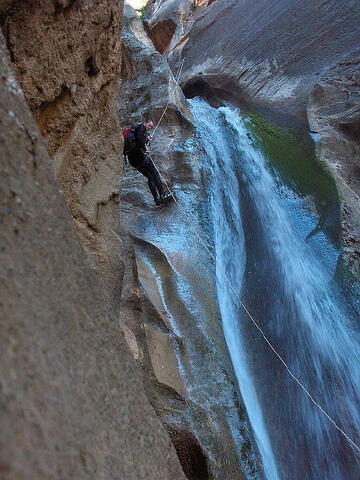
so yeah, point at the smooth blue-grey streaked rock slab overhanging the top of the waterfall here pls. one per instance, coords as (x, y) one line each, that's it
(270, 53)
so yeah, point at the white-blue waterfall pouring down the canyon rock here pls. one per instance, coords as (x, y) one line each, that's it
(259, 237)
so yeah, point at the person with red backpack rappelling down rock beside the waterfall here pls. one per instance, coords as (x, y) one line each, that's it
(136, 151)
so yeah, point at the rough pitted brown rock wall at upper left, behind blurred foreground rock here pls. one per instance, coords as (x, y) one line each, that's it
(66, 55)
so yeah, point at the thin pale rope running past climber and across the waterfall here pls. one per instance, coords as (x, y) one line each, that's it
(223, 274)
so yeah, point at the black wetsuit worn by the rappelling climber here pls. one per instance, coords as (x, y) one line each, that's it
(142, 162)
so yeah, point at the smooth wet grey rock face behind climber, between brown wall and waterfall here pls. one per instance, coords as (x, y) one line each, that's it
(167, 339)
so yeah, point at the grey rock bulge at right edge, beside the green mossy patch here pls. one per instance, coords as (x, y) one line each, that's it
(334, 113)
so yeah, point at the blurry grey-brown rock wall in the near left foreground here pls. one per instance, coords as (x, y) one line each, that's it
(71, 403)
